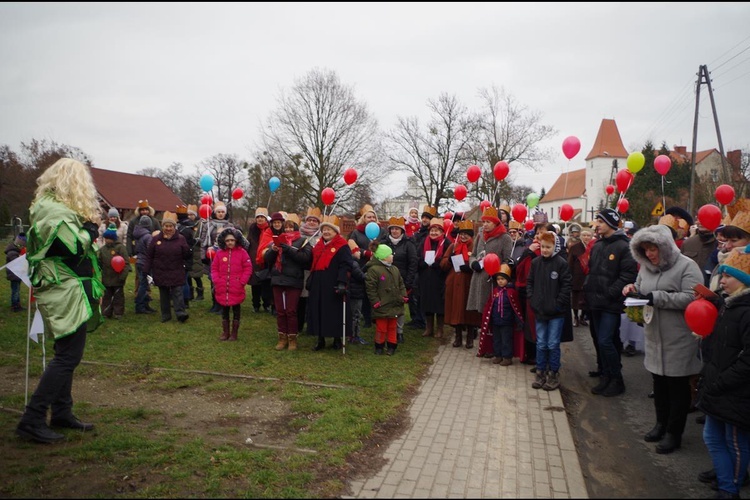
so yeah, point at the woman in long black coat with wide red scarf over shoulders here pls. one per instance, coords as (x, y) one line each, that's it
(332, 266)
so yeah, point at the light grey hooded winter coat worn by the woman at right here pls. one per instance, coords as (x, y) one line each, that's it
(670, 348)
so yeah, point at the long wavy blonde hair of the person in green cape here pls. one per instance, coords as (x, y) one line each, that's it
(69, 182)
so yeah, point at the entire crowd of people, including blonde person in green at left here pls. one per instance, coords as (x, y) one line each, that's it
(520, 292)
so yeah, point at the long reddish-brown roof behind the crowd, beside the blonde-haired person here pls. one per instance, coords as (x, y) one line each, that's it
(123, 190)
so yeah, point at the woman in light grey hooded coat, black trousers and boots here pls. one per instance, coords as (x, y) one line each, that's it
(666, 279)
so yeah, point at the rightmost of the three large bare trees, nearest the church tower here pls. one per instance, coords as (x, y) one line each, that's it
(507, 131)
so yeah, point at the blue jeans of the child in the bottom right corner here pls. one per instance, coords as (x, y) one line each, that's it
(729, 448)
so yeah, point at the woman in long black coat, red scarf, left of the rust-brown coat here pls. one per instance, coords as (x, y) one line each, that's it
(431, 278)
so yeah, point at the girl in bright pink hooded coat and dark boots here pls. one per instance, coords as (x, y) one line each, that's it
(230, 271)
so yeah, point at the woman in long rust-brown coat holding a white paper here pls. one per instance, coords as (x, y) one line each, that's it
(457, 285)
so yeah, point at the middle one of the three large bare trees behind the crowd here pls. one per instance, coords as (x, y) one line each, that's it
(436, 155)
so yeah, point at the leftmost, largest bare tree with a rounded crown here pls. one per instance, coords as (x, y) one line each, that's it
(318, 130)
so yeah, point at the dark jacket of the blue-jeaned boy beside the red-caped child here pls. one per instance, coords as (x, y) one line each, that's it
(548, 286)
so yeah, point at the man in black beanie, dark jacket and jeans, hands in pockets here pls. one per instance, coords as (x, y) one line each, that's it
(611, 267)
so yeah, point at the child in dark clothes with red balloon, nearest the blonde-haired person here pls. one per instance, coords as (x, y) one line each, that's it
(114, 261)
